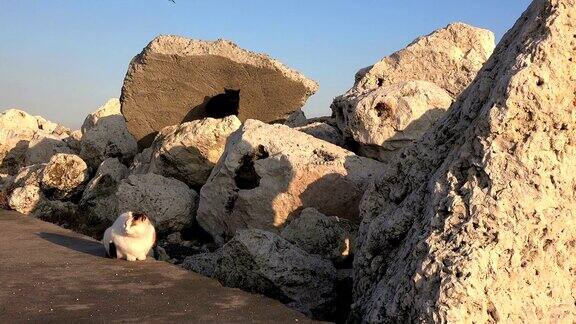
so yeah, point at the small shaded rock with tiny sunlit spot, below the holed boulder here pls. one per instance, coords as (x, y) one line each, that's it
(330, 237)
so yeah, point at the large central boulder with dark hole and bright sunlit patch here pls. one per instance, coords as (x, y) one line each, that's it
(269, 173)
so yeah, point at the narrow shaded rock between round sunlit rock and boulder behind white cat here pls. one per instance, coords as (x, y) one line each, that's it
(99, 204)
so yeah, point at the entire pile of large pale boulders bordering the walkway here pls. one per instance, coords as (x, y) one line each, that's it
(423, 218)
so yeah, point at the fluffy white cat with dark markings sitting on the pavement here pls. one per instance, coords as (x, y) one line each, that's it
(131, 237)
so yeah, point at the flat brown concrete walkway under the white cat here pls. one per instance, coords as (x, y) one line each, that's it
(49, 274)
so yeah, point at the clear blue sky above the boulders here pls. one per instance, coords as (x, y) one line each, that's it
(62, 59)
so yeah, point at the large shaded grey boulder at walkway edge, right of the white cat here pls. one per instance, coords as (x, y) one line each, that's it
(263, 262)
